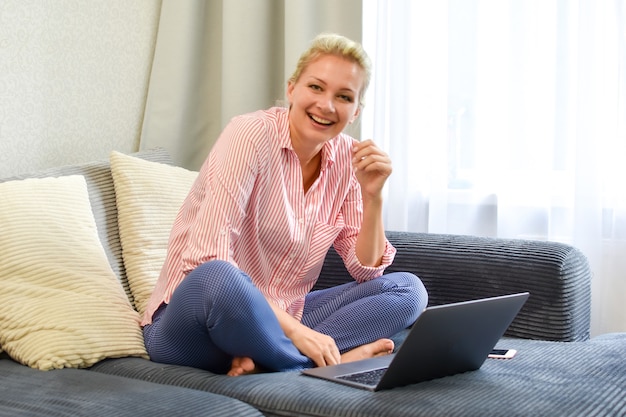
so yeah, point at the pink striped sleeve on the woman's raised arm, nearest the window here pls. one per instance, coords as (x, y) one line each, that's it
(345, 244)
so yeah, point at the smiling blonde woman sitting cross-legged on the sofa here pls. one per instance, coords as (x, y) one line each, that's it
(280, 187)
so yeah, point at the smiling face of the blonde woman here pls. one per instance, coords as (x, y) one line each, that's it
(324, 99)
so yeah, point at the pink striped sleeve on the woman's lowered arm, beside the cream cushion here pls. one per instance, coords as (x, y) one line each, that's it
(221, 194)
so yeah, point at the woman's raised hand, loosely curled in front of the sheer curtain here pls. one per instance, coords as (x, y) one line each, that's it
(372, 167)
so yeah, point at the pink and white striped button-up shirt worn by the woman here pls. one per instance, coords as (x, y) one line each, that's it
(248, 207)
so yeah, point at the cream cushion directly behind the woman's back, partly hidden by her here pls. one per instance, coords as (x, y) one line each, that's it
(149, 195)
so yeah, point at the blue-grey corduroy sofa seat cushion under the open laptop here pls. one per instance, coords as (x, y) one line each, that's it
(544, 378)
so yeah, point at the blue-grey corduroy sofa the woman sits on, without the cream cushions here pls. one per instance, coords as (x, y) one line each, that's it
(558, 371)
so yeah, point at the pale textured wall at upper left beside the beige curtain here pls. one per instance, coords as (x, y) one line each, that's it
(73, 79)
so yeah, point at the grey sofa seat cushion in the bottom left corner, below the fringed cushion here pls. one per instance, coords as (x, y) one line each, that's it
(78, 392)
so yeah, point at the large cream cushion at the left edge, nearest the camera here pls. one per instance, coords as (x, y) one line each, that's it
(61, 305)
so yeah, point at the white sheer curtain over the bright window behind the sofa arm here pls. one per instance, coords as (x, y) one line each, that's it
(507, 118)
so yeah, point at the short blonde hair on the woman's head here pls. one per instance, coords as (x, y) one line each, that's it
(334, 44)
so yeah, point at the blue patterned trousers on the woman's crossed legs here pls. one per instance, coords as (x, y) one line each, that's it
(217, 315)
